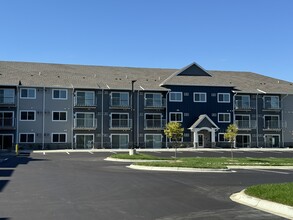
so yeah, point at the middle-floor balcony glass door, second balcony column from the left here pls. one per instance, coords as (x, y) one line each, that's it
(85, 120)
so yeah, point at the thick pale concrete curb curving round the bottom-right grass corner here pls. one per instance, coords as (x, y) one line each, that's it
(264, 205)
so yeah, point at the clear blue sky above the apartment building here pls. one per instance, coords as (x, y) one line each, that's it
(244, 35)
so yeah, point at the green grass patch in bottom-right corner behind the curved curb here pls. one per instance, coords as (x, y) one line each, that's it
(280, 193)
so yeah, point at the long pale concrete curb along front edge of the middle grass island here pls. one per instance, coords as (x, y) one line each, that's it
(180, 169)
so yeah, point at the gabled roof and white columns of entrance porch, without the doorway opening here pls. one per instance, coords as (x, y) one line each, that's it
(204, 123)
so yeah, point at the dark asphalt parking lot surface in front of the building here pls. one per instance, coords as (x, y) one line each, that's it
(84, 186)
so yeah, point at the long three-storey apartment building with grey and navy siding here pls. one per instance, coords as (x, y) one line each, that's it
(55, 106)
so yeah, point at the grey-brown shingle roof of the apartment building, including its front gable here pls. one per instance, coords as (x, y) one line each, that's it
(82, 76)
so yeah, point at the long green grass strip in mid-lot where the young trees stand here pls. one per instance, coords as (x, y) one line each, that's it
(221, 162)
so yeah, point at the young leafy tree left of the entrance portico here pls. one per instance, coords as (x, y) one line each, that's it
(174, 131)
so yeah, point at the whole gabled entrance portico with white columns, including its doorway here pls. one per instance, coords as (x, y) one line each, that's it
(204, 132)
